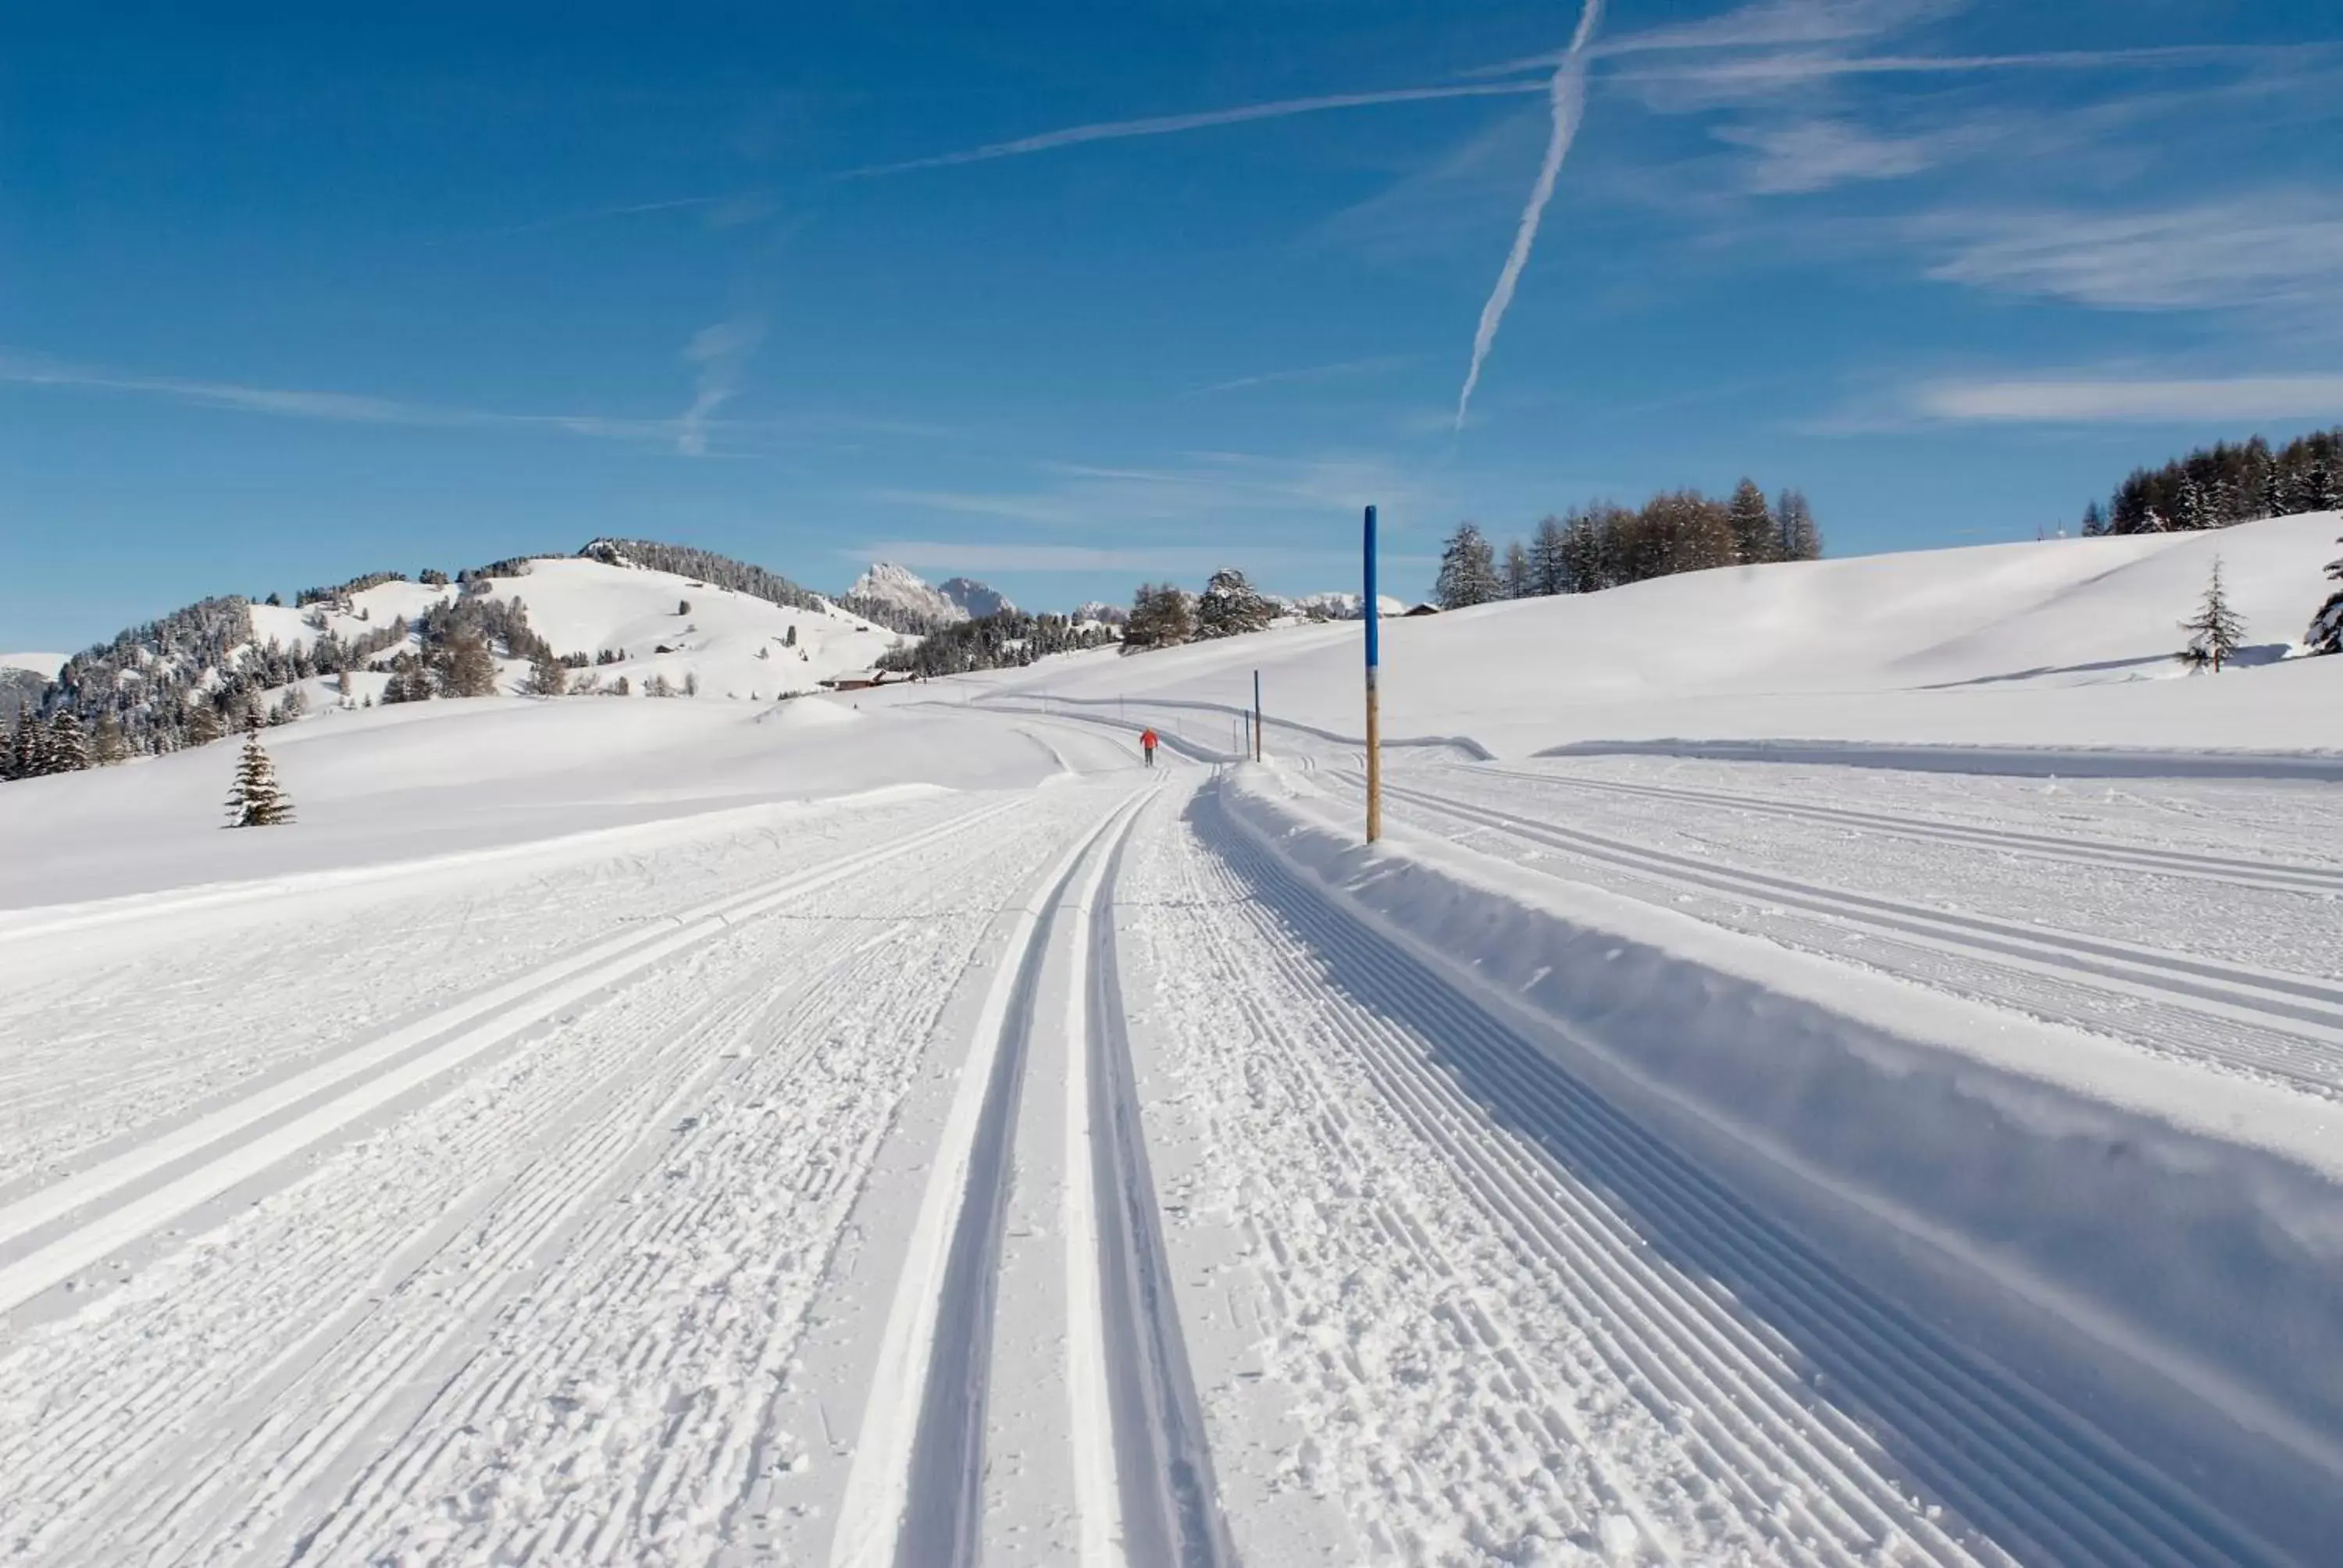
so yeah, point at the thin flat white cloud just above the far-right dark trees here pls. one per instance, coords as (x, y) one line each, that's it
(2131, 400)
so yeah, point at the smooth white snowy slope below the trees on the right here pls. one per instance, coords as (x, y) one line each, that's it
(2063, 643)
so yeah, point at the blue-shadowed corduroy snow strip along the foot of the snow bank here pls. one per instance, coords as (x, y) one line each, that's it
(2026, 1471)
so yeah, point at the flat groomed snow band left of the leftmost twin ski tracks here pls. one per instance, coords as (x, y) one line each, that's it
(83, 1072)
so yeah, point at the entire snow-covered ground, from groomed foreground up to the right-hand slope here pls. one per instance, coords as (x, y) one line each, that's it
(906, 1131)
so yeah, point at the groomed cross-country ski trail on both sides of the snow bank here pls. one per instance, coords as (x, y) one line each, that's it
(1030, 1178)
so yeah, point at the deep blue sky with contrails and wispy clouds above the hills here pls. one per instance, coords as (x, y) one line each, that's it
(1067, 296)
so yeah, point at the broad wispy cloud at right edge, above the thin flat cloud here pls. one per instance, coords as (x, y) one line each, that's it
(2208, 257)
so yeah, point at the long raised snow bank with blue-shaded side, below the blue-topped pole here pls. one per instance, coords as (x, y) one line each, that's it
(2150, 1243)
